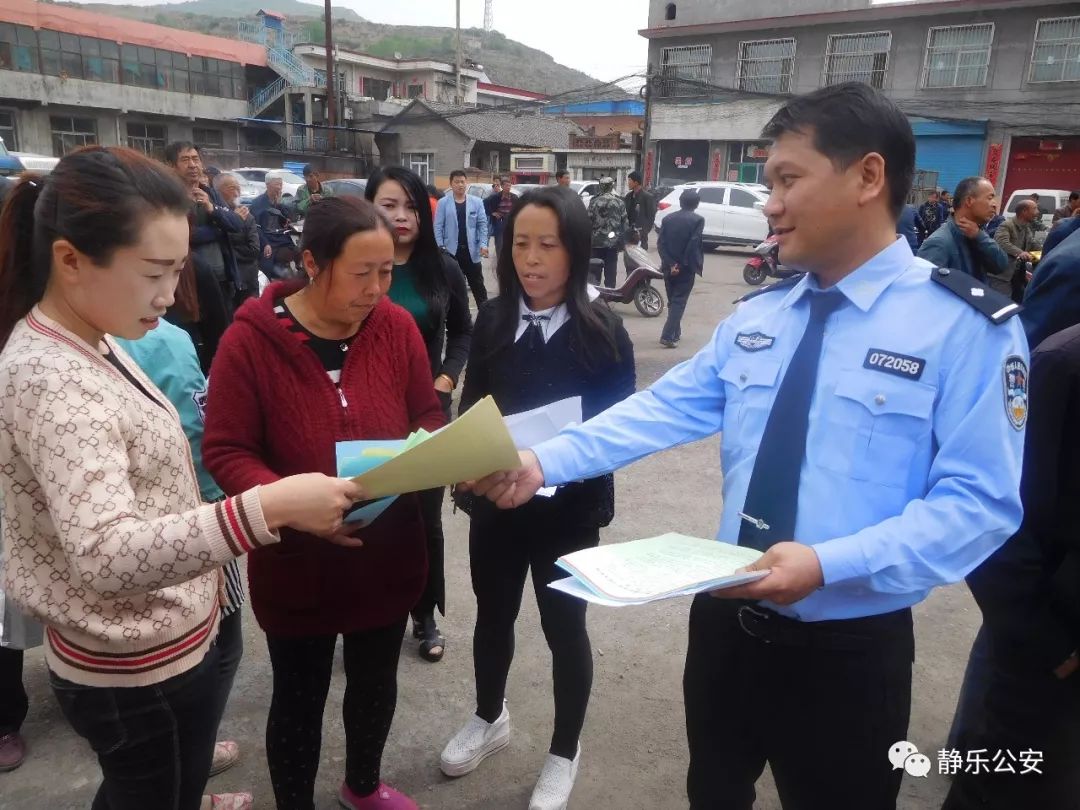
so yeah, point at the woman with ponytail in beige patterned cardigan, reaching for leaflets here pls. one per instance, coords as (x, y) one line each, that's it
(106, 538)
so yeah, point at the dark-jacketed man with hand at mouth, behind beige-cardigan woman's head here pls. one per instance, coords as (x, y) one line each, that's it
(213, 221)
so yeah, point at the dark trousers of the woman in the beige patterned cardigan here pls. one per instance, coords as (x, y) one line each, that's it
(155, 744)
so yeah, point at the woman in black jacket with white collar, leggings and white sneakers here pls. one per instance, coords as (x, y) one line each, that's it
(541, 342)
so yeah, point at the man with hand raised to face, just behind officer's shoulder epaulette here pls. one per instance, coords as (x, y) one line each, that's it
(962, 244)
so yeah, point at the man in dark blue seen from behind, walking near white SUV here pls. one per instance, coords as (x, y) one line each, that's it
(683, 259)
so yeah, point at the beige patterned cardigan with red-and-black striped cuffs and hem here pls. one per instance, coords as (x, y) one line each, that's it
(105, 537)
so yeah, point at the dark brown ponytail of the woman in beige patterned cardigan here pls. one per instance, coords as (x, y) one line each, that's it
(23, 276)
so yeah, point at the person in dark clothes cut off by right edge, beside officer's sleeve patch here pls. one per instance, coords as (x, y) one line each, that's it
(1030, 593)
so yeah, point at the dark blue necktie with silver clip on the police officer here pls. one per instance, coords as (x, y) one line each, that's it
(773, 497)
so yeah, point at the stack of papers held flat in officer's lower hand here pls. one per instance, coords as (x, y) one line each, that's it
(655, 569)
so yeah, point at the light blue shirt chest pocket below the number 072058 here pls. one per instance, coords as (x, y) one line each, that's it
(876, 427)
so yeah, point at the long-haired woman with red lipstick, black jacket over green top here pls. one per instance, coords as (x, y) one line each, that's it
(429, 283)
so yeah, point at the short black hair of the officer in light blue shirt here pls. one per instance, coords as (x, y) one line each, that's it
(849, 121)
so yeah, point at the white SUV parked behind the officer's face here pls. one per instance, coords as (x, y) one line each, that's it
(732, 211)
